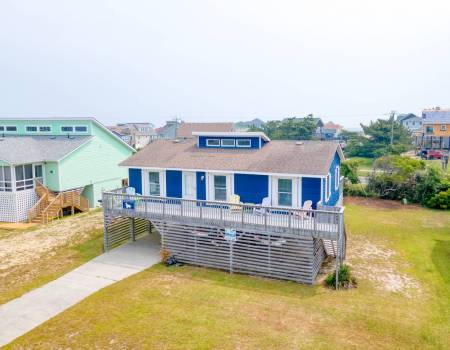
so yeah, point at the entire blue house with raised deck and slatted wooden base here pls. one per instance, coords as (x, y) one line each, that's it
(236, 201)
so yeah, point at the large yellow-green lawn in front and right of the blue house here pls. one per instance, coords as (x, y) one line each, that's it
(400, 256)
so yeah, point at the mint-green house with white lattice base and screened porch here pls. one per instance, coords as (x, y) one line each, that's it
(70, 157)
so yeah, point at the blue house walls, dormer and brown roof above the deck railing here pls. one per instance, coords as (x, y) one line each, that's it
(214, 166)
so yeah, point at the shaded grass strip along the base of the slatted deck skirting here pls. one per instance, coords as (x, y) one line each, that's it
(241, 281)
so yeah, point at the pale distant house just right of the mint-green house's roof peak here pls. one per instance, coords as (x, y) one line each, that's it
(138, 135)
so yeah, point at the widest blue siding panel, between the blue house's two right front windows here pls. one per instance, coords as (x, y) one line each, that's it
(251, 188)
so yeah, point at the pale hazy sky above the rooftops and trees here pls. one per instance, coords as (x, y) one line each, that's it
(349, 61)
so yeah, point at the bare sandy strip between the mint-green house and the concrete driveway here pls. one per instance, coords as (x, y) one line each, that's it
(24, 247)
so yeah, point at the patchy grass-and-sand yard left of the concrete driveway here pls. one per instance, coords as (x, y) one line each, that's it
(32, 257)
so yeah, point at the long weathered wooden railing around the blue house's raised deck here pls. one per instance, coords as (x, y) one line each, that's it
(320, 223)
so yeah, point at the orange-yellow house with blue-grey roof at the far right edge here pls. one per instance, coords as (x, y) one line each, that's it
(436, 128)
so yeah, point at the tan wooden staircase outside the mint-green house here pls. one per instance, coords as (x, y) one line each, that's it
(50, 205)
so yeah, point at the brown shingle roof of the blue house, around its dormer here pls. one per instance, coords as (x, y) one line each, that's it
(283, 157)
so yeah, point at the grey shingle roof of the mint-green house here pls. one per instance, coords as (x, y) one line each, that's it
(30, 149)
